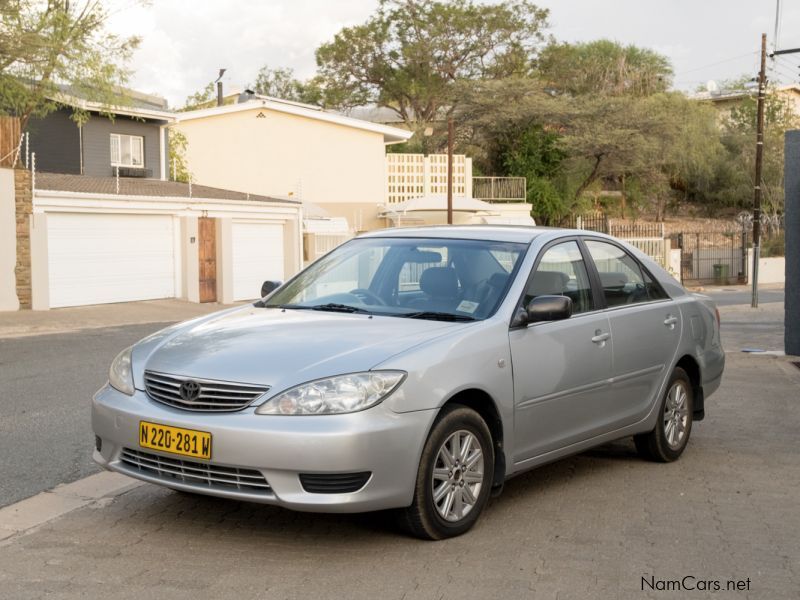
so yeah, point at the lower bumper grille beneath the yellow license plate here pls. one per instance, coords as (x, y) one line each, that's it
(194, 473)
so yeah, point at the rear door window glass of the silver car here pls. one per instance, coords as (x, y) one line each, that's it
(620, 275)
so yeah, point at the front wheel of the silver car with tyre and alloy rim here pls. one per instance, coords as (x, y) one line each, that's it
(435, 519)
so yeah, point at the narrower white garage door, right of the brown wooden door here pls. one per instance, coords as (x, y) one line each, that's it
(257, 257)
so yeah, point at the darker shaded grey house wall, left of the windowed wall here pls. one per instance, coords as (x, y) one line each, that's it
(56, 142)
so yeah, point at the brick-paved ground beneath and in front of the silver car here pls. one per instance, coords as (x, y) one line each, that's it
(591, 526)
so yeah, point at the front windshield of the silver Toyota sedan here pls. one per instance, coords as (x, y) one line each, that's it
(436, 278)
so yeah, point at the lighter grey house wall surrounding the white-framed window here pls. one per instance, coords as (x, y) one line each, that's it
(97, 144)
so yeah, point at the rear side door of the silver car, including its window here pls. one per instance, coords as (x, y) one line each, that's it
(645, 326)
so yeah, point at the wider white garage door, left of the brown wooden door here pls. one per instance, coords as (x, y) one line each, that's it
(96, 259)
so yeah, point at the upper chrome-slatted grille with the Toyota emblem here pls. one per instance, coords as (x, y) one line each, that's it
(217, 396)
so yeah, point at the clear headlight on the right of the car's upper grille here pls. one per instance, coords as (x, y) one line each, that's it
(335, 395)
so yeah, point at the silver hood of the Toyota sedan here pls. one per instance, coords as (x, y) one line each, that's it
(279, 348)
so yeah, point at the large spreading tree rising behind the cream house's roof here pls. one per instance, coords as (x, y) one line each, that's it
(411, 54)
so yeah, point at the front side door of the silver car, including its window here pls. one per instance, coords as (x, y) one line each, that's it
(562, 369)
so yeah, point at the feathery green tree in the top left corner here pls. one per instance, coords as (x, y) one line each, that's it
(57, 48)
